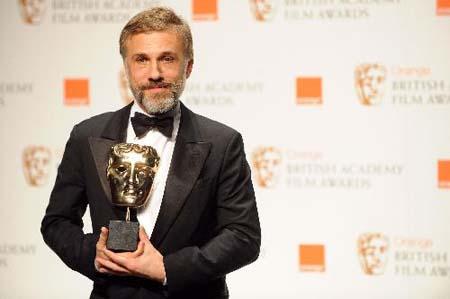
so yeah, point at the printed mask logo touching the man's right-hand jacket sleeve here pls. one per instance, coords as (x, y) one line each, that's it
(267, 163)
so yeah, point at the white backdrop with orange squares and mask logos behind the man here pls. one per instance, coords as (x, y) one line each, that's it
(344, 106)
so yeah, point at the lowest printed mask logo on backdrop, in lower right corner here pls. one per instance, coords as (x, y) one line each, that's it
(372, 252)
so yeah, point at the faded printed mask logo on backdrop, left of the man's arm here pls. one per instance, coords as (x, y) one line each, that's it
(36, 165)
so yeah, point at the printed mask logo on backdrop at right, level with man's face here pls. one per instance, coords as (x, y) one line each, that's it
(369, 83)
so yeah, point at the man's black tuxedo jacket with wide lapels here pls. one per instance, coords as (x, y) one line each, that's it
(208, 222)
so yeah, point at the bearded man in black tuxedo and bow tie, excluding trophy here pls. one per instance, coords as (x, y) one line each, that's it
(201, 215)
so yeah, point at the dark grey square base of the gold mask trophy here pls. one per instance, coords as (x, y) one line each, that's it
(123, 235)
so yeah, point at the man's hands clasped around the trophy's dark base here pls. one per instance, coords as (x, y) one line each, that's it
(145, 262)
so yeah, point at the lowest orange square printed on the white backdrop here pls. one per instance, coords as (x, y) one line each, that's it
(312, 258)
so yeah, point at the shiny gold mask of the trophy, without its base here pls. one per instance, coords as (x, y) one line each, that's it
(131, 171)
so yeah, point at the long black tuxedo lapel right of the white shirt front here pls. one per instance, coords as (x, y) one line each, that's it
(188, 157)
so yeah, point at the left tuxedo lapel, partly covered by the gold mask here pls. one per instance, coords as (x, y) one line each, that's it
(114, 132)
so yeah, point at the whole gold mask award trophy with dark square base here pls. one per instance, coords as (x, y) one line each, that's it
(131, 170)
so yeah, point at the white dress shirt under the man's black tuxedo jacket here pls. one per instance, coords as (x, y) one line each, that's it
(148, 214)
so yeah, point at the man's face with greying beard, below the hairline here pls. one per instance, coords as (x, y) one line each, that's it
(157, 69)
